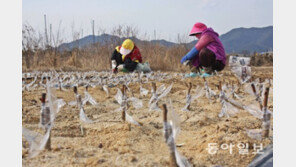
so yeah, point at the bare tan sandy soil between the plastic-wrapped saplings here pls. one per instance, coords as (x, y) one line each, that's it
(111, 142)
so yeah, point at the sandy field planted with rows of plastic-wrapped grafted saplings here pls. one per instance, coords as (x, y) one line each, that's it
(146, 119)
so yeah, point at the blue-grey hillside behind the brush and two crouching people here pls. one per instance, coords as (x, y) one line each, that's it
(236, 40)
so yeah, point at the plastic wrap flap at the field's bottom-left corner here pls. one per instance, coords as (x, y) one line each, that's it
(36, 141)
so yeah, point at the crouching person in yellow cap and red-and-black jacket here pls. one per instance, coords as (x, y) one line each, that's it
(126, 57)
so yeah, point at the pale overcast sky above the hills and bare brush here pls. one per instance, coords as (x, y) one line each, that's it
(167, 17)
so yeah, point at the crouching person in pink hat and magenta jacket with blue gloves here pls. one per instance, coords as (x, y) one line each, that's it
(208, 53)
